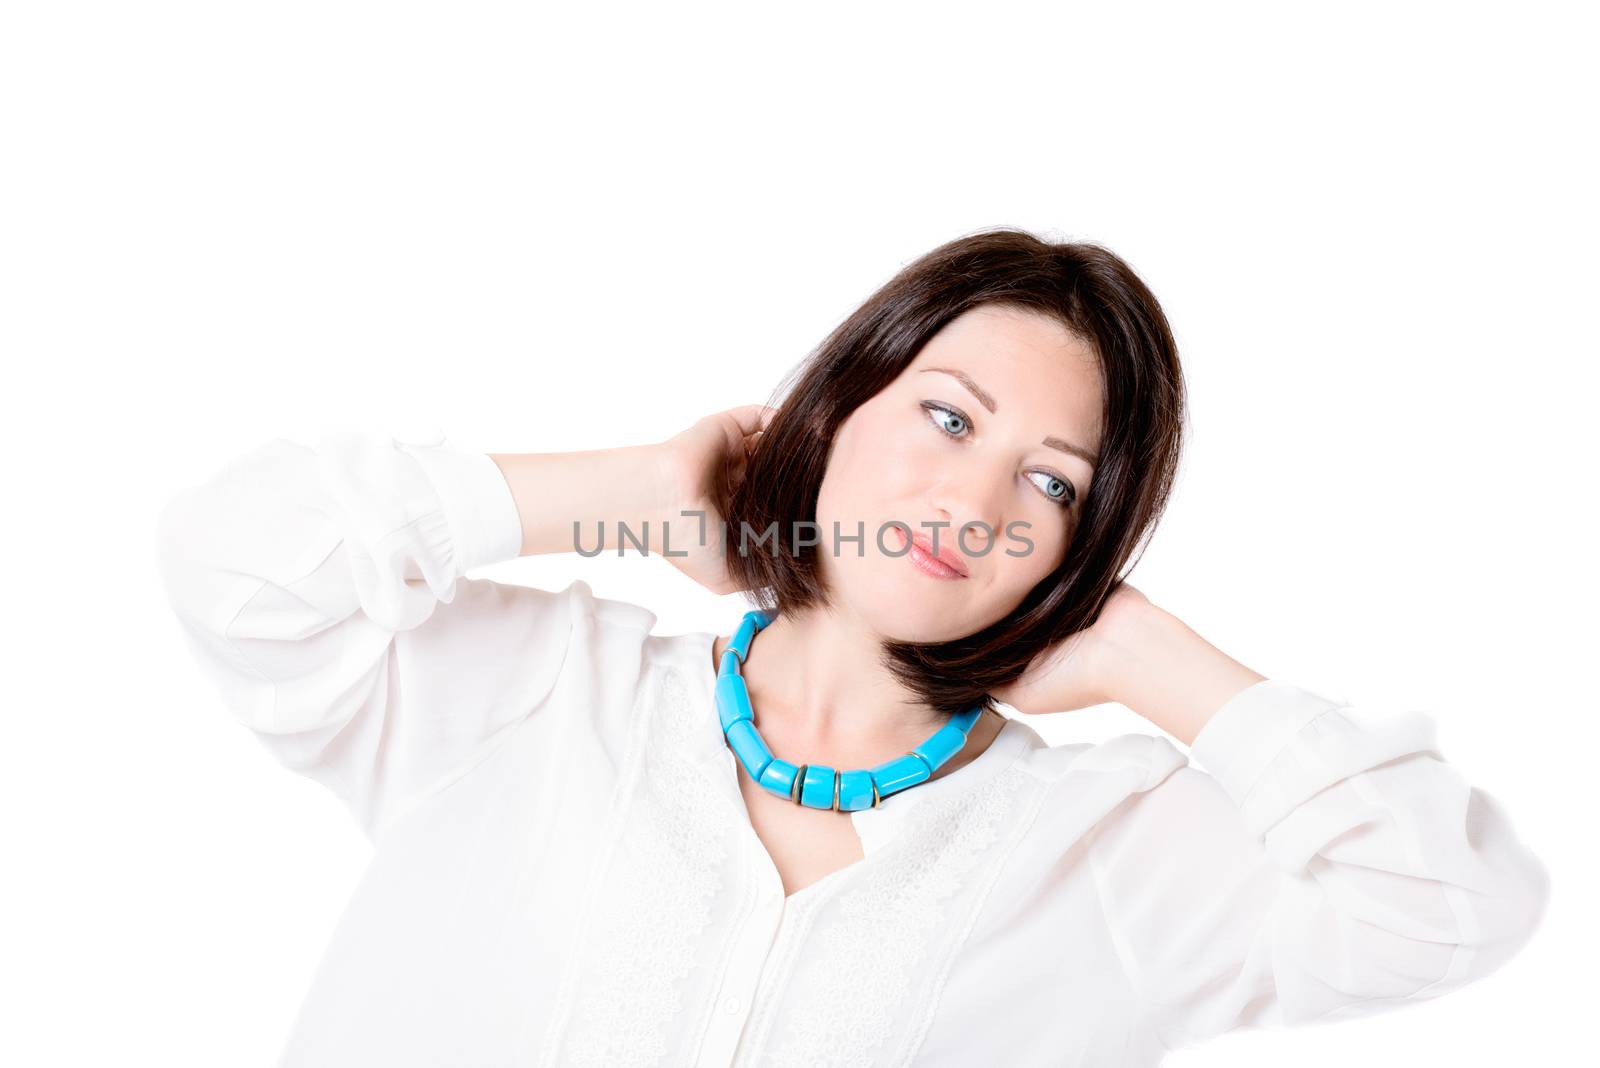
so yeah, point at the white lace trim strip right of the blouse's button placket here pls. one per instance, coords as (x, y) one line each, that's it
(854, 981)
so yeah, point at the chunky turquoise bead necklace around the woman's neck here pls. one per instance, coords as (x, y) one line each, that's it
(817, 786)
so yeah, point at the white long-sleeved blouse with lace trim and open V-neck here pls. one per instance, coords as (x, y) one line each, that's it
(566, 872)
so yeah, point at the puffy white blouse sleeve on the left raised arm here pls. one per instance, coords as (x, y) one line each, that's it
(322, 591)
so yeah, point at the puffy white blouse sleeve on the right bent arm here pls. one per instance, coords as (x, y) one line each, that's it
(1330, 866)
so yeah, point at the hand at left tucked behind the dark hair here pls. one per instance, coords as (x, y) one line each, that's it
(703, 466)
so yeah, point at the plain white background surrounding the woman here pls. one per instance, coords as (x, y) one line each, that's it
(548, 229)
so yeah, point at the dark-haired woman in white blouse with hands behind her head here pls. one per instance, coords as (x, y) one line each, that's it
(596, 848)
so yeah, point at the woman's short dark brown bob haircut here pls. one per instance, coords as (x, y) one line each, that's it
(1098, 298)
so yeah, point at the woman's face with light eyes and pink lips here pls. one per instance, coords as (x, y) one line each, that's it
(983, 429)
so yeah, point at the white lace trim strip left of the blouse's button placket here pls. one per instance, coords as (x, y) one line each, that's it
(652, 912)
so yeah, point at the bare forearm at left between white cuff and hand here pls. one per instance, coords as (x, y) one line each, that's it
(582, 500)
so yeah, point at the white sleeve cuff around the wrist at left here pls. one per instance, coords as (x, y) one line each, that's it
(476, 500)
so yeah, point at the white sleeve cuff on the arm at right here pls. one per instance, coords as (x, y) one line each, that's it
(1244, 738)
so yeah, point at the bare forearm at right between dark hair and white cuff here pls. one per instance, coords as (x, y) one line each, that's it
(1170, 675)
